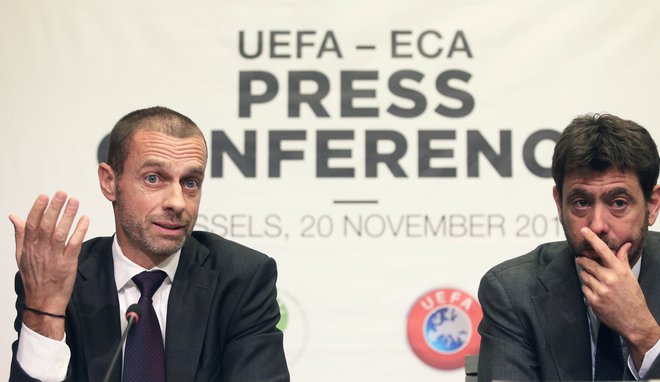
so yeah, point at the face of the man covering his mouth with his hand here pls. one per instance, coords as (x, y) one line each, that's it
(611, 204)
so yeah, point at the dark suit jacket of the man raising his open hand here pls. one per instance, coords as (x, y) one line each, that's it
(221, 315)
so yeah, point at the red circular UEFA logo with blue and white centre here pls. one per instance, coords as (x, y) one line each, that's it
(442, 328)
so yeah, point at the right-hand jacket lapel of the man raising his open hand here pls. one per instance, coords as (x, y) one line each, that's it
(188, 312)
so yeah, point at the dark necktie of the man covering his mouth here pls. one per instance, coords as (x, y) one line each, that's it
(609, 359)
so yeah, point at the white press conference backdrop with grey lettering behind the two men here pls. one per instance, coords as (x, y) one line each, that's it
(351, 274)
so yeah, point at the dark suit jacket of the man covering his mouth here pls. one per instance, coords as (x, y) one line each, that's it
(535, 324)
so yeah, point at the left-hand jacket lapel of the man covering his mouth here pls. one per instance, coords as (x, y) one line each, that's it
(563, 316)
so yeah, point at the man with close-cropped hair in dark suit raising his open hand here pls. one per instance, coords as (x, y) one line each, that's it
(216, 306)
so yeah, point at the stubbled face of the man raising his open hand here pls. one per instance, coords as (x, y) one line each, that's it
(158, 195)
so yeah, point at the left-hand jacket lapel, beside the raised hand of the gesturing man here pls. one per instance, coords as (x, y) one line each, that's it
(98, 313)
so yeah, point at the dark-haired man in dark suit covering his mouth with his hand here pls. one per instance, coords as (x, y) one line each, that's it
(544, 312)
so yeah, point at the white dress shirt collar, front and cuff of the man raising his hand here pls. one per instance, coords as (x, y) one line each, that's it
(47, 359)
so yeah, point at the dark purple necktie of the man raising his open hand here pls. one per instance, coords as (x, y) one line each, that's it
(144, 357)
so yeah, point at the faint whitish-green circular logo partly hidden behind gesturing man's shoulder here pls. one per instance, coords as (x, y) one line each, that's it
(293, 323)
